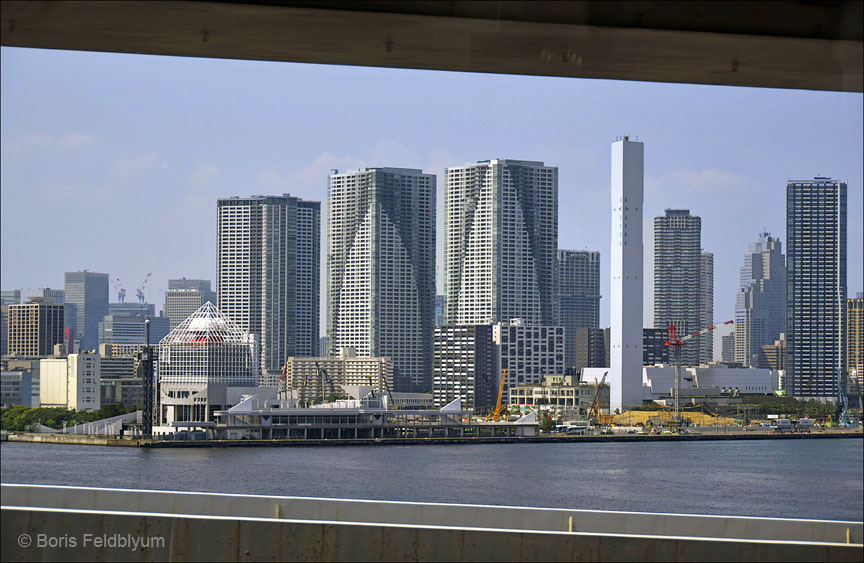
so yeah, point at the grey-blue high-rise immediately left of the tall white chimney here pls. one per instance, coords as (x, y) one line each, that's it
(578, 295)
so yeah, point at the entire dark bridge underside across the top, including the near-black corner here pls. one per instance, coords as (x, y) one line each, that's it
(814, 45)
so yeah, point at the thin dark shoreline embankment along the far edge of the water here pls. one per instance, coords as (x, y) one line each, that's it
(73, 439)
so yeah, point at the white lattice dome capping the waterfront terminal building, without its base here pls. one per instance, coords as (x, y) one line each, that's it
(208, 348)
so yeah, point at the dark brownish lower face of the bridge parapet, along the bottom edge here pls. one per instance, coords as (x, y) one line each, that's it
(198, 538)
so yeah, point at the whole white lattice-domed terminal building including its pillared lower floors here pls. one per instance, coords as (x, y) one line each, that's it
(198, 361)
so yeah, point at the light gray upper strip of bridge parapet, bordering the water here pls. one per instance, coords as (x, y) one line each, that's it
(430, 514)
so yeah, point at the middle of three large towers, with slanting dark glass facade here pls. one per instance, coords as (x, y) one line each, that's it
(381, 269)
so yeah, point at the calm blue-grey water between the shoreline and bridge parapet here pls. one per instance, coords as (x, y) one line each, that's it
(782, 478)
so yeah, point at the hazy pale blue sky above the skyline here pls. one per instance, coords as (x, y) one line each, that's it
(113, 162)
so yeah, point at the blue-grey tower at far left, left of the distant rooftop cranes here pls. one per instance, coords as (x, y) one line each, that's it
(88, 292)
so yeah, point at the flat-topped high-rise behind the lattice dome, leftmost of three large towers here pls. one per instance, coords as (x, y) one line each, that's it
(268, 262)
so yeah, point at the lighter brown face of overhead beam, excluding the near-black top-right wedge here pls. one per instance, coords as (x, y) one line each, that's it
(410, 40)
